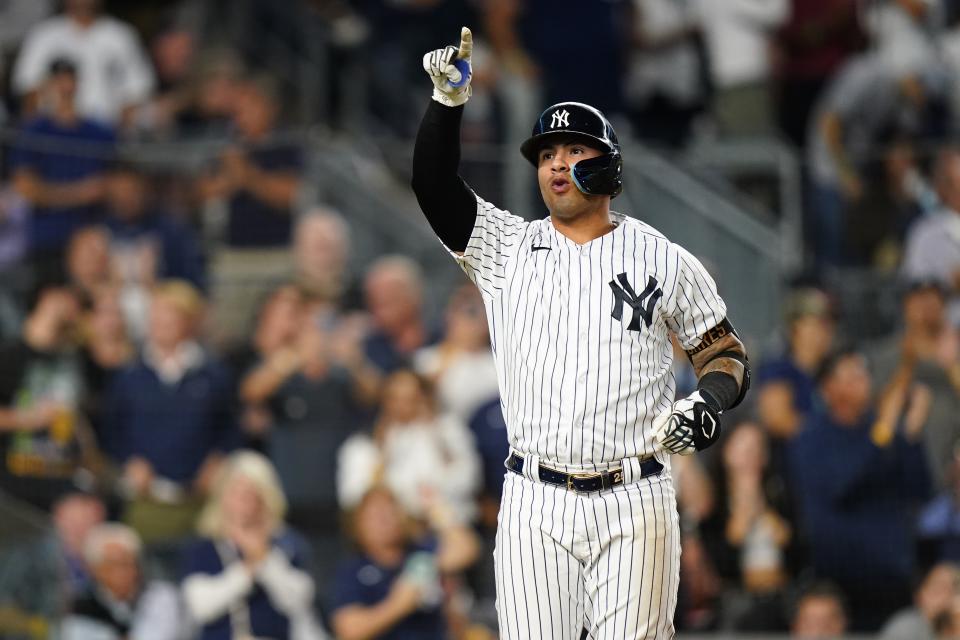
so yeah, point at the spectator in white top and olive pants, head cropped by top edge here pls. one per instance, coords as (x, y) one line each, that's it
(739, 35)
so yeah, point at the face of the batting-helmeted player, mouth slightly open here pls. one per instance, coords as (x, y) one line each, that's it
(554, 173)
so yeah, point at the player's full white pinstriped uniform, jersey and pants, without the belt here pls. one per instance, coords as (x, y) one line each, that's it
(580, 335)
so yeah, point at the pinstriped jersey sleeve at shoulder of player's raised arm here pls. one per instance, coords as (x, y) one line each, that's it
(494, 240)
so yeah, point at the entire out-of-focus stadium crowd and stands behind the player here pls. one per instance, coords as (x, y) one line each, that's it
(244, 393)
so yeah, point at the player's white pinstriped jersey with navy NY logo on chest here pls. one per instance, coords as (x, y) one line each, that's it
(581, 333)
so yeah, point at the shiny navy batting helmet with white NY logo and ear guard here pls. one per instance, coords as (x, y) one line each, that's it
(598, 176)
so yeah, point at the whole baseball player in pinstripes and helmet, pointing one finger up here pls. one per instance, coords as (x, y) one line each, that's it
(580, 307)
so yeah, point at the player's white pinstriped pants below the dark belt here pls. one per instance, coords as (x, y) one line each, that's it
(606, 561)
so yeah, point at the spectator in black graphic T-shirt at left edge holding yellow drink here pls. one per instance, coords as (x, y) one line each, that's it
(41, 387)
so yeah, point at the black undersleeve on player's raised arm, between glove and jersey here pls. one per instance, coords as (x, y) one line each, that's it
(446, 200)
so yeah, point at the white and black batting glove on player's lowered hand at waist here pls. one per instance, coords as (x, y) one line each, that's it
(692, 424)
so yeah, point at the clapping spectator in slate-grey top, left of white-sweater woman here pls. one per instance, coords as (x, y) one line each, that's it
(300, 403)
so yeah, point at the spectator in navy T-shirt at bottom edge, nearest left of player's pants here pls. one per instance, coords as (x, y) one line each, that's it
(392, 590)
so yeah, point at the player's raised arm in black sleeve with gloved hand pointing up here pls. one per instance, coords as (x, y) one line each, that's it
(447, 202)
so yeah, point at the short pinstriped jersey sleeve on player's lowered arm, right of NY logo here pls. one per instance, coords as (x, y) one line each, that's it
(696, 306)
